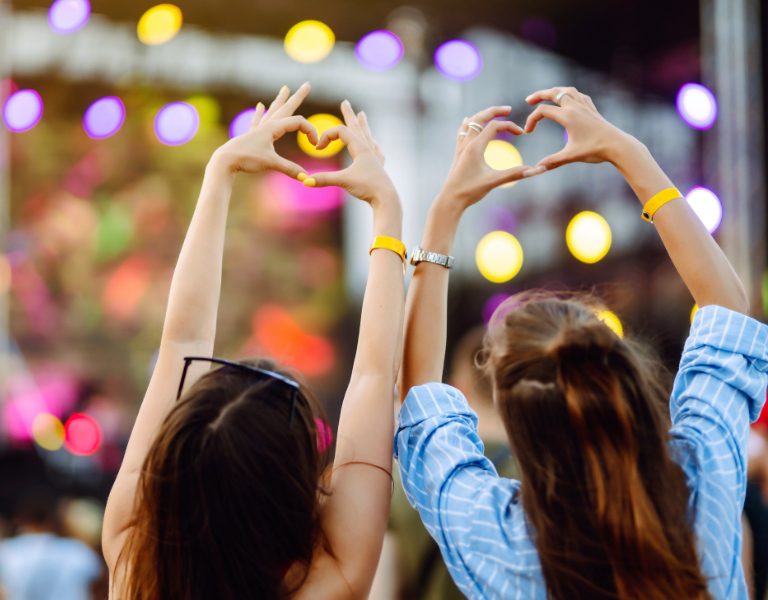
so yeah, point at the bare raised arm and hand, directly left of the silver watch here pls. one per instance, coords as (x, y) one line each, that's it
(355, 515)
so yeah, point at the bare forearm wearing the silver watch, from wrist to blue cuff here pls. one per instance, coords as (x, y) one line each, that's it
(427, 302)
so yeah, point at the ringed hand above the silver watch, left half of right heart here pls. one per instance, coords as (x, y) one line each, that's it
(470, 177)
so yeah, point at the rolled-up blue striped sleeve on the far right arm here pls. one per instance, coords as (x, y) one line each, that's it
(719, 389)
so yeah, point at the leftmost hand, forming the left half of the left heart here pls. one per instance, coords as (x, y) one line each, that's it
(254, 151)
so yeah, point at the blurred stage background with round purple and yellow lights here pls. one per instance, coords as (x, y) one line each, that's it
(111, 110)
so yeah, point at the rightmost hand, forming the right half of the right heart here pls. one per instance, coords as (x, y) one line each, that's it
(591, 138)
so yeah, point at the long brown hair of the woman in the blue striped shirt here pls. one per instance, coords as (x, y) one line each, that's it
(587, 418)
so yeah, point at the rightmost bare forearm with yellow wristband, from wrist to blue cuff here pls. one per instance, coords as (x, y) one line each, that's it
(698, 259)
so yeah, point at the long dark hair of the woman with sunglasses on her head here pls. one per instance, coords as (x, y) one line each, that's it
(228, 497)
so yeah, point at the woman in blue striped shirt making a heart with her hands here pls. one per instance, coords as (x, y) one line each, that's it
(615, 499)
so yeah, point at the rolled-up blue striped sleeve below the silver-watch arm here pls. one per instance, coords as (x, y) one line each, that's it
(444, 472)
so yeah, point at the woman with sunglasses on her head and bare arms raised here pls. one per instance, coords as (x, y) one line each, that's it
(223, 491)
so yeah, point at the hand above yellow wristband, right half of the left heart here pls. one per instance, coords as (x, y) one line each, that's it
(365, 178)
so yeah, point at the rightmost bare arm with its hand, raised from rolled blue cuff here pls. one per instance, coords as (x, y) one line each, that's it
(695, 254)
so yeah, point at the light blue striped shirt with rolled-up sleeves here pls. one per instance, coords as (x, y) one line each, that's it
(476, 516)
